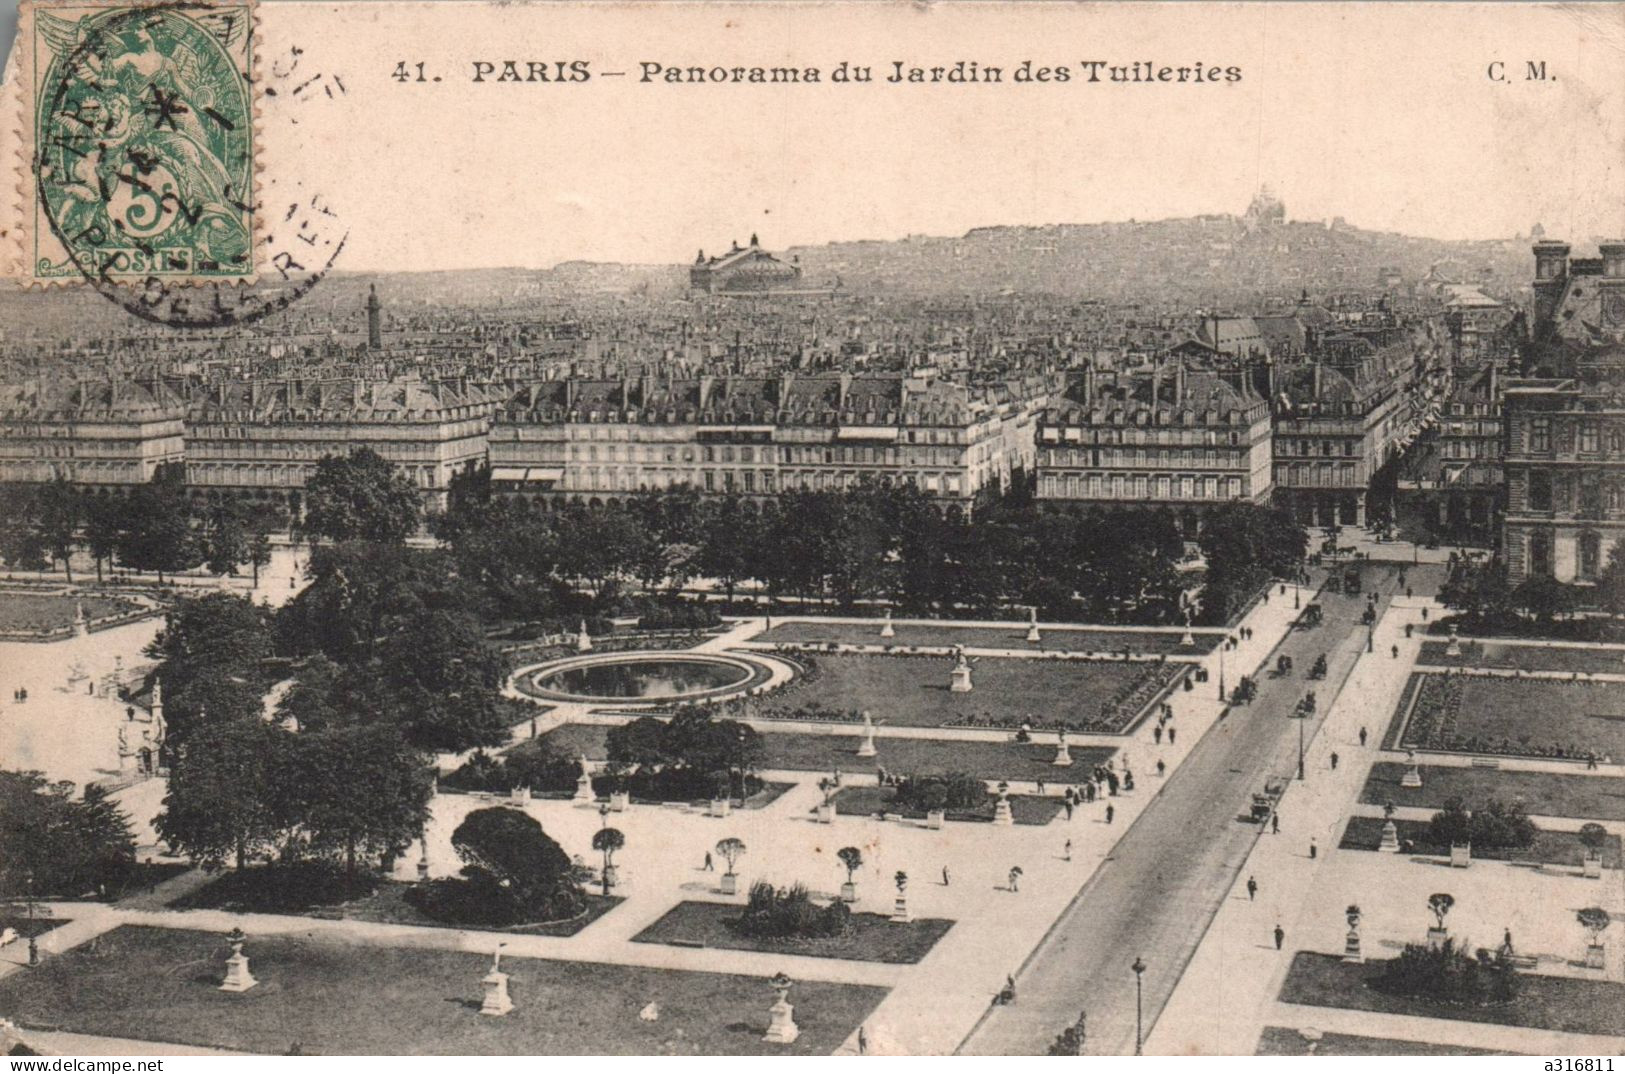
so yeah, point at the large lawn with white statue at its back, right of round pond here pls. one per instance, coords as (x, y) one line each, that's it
(1104, 698)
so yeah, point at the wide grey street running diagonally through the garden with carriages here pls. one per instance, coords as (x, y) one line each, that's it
(1155, 898)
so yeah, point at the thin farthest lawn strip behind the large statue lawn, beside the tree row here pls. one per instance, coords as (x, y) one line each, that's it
(1015, 636)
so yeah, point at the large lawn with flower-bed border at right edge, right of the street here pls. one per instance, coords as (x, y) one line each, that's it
(1514, 717)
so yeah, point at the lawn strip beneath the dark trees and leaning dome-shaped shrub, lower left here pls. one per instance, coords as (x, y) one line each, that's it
(323, 894)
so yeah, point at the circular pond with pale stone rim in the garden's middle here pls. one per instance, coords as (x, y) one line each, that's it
(631, 678)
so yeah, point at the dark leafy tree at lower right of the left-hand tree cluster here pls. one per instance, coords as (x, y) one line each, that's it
(362, 790)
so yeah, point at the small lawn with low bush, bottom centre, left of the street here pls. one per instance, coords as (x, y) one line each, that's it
(872, 938)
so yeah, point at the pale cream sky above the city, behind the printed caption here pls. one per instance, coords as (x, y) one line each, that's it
(1385, 115)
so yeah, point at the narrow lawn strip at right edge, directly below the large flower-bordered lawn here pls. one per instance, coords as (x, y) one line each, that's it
(1543, 794)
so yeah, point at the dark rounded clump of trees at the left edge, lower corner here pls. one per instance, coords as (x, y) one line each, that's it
(64, 847)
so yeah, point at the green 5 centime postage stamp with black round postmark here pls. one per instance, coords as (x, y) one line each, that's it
(139, 144)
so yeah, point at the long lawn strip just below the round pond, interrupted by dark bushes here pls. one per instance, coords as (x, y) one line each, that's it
(903, 756)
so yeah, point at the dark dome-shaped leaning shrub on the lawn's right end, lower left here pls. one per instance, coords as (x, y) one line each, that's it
(508, 855)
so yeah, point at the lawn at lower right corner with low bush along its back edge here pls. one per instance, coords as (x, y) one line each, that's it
(1554, 1003)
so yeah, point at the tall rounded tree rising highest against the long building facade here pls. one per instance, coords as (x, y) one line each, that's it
(362, 498)
